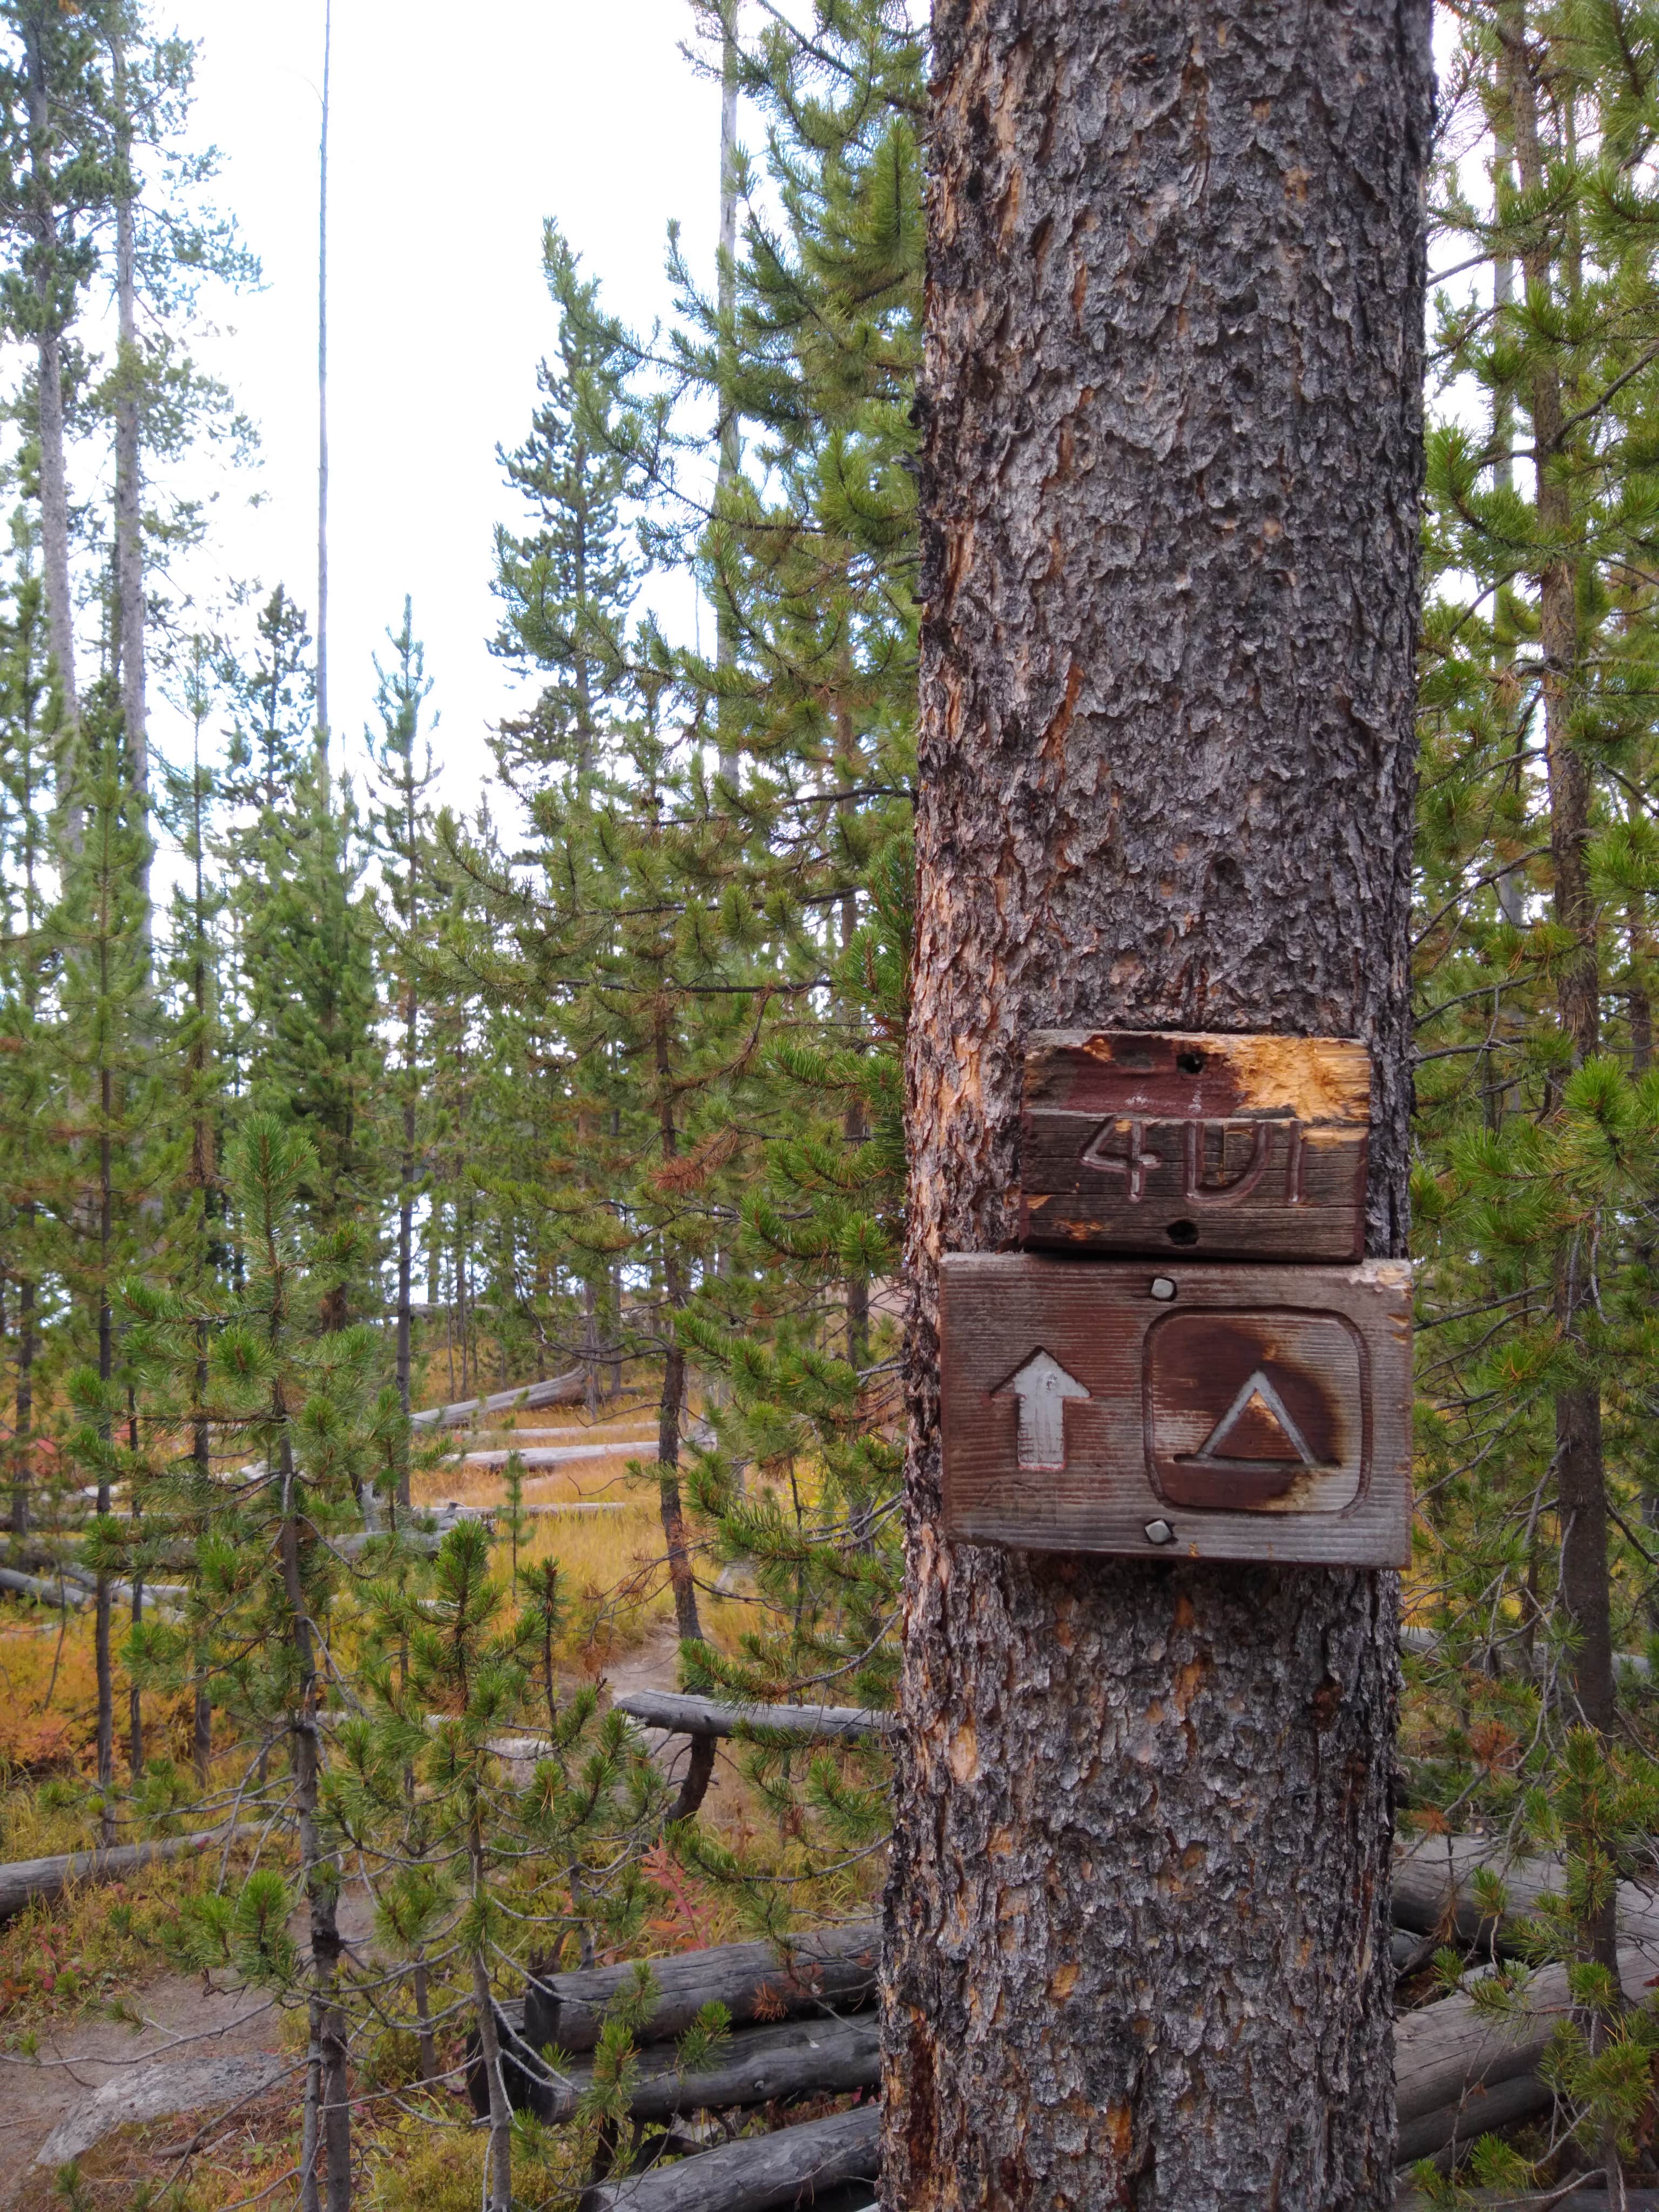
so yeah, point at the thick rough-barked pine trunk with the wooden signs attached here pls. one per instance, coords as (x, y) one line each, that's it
(1138, 1914)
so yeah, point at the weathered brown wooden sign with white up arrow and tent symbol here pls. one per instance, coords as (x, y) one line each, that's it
(1220, 1412)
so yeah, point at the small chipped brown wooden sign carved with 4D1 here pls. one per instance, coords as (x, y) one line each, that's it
(1204, 1145)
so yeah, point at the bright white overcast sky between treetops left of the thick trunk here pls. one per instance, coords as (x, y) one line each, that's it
(452, 140)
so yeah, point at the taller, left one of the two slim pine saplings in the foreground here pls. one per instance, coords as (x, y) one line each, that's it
(300, 1395)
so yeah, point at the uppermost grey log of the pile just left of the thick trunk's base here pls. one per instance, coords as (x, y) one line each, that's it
(826, 1970)
